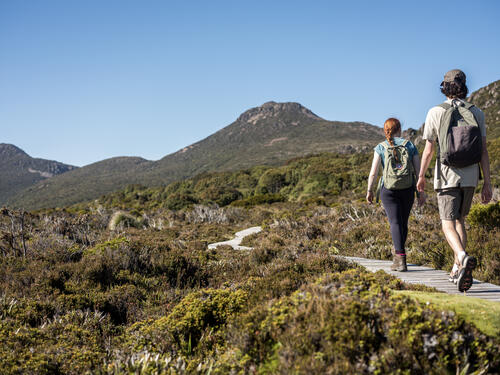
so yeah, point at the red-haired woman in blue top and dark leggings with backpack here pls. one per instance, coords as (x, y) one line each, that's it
(401, 163)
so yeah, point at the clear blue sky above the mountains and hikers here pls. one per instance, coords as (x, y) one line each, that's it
(81, 81)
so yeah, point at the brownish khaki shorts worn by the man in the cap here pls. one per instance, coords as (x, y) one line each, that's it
(454, 203)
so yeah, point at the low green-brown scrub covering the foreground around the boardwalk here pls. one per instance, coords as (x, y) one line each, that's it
(82, 297)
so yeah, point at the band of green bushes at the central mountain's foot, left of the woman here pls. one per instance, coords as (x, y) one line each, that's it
(325, 178)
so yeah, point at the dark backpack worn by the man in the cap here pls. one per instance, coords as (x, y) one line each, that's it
(459, 138)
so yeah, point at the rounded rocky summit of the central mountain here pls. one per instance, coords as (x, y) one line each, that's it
(273, 109)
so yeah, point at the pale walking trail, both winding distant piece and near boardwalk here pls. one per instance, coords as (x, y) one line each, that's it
(415, 275)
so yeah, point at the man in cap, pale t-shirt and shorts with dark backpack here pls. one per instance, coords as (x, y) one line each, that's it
(456, 126)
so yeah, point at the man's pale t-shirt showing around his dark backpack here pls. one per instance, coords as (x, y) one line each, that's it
(452, 177)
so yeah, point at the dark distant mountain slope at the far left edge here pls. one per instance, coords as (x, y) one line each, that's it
(18, 170)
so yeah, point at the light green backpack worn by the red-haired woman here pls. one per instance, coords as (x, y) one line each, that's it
(398, 171)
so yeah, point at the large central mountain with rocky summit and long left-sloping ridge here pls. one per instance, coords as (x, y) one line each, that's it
(269, 135)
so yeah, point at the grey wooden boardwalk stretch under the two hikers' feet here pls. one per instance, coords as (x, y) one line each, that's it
(431, 277)
